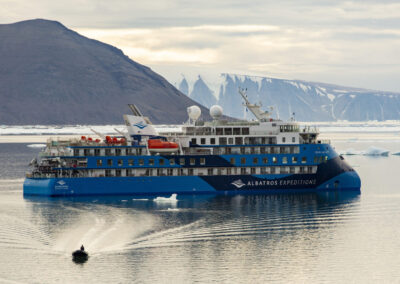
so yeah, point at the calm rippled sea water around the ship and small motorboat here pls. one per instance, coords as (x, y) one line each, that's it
(310, 238)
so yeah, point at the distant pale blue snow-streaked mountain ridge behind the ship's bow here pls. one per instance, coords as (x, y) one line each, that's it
(309, 101)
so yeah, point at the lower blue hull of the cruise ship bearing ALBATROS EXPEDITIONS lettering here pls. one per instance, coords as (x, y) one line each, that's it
(189, 185)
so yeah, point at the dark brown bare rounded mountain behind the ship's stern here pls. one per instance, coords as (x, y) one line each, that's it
(52, 75)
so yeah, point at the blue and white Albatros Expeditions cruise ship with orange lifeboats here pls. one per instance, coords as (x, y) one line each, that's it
(263, 155)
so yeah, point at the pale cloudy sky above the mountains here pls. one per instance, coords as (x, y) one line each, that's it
(351, 43)
